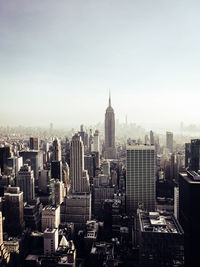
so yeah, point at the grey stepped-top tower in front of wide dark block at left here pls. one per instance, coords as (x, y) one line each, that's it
(25, 180)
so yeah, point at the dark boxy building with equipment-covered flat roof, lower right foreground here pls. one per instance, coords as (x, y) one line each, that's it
(161, 240)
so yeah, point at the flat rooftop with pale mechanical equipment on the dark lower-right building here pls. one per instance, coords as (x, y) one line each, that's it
(159, 223)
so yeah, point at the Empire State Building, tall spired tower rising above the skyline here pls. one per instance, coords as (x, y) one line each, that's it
(110, 151)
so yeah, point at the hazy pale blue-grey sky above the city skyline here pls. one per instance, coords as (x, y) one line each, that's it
(58, 59)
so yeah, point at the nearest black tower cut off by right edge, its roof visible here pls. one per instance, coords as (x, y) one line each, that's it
(189, 216)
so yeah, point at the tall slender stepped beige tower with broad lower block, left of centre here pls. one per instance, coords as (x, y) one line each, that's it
(77, 205)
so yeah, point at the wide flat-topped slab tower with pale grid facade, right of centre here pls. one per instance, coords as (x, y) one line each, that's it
(140, 177)
